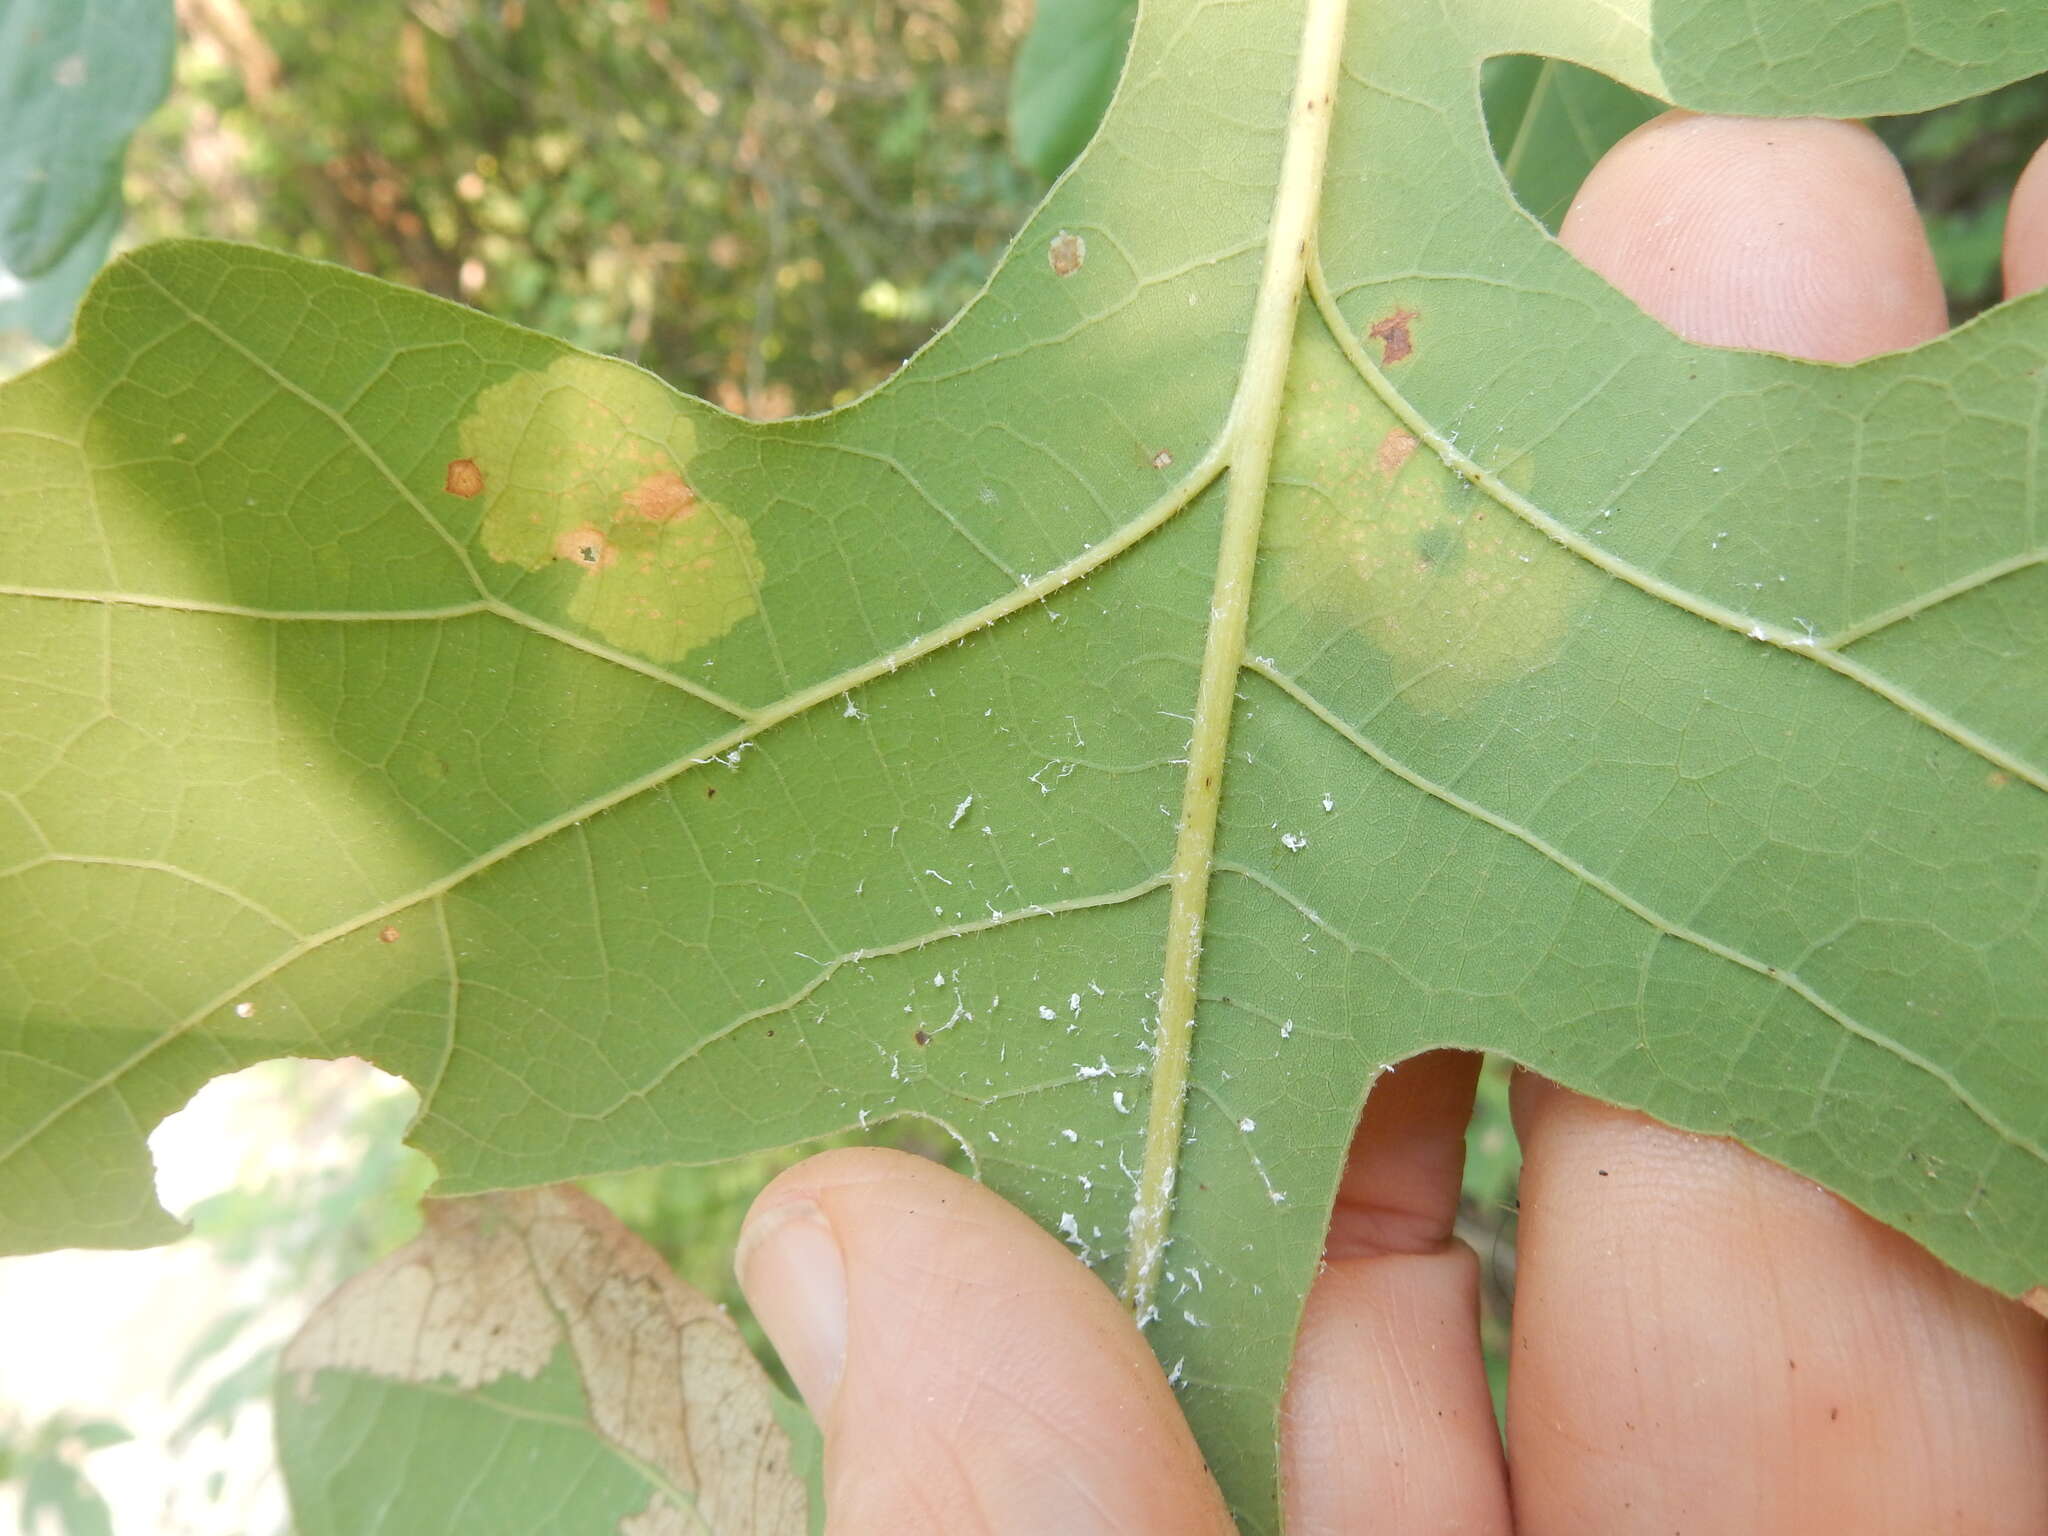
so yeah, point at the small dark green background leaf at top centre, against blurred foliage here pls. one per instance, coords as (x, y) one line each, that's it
(1064, 79)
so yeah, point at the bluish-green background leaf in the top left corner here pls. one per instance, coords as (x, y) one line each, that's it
(77, 81)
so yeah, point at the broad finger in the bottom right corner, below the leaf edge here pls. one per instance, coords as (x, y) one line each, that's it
(1707, 1342)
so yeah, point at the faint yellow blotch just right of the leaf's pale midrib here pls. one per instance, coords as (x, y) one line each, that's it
(1369, 531)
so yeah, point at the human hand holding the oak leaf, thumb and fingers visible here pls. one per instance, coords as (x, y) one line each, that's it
(1703, 1342)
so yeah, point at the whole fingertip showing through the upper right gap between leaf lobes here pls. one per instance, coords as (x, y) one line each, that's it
(1779, 234)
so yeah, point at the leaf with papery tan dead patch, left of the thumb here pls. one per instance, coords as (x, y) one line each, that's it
(534, 1334)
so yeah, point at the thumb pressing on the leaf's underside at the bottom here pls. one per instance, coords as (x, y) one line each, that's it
(972, 1377)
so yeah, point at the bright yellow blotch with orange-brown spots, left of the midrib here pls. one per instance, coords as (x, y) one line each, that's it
(589, 468)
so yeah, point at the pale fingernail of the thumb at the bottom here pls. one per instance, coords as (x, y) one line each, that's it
(790, 1265)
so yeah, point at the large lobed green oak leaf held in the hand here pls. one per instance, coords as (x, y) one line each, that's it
(1297, 617)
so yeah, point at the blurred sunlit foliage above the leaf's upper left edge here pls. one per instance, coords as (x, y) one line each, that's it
(765, 202)
